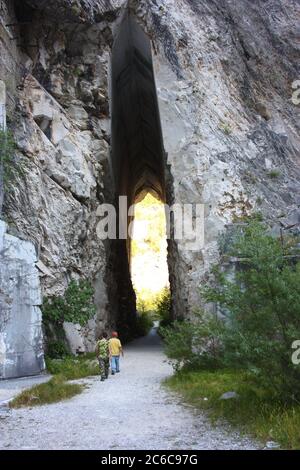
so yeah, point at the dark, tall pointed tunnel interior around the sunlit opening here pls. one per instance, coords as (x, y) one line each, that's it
(137, 157)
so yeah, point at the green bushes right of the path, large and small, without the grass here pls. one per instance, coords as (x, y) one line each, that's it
(261, 309)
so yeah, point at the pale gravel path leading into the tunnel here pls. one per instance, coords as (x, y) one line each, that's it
(129, 411)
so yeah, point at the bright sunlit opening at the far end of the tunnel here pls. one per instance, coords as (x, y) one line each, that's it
(149, 268)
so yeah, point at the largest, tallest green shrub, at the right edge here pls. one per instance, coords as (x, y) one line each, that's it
(262, 310)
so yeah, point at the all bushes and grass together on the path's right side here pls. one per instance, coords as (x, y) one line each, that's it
(246, 345)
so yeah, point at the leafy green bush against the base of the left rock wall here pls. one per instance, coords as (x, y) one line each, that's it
(75, 306)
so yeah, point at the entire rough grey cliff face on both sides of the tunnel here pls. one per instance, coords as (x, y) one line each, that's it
(224, 70)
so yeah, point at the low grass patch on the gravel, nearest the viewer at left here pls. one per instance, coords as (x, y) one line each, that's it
(55, 390)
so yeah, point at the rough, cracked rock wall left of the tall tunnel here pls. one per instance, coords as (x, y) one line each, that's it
(60, 122)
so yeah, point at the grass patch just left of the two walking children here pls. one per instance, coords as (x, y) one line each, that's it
(73, 368)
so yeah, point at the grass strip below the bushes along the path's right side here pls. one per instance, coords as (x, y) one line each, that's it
(254, 412)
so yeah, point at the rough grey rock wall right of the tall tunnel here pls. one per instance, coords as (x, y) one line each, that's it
(224, 73)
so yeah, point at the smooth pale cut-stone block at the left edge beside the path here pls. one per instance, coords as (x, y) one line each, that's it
(21, 339)
